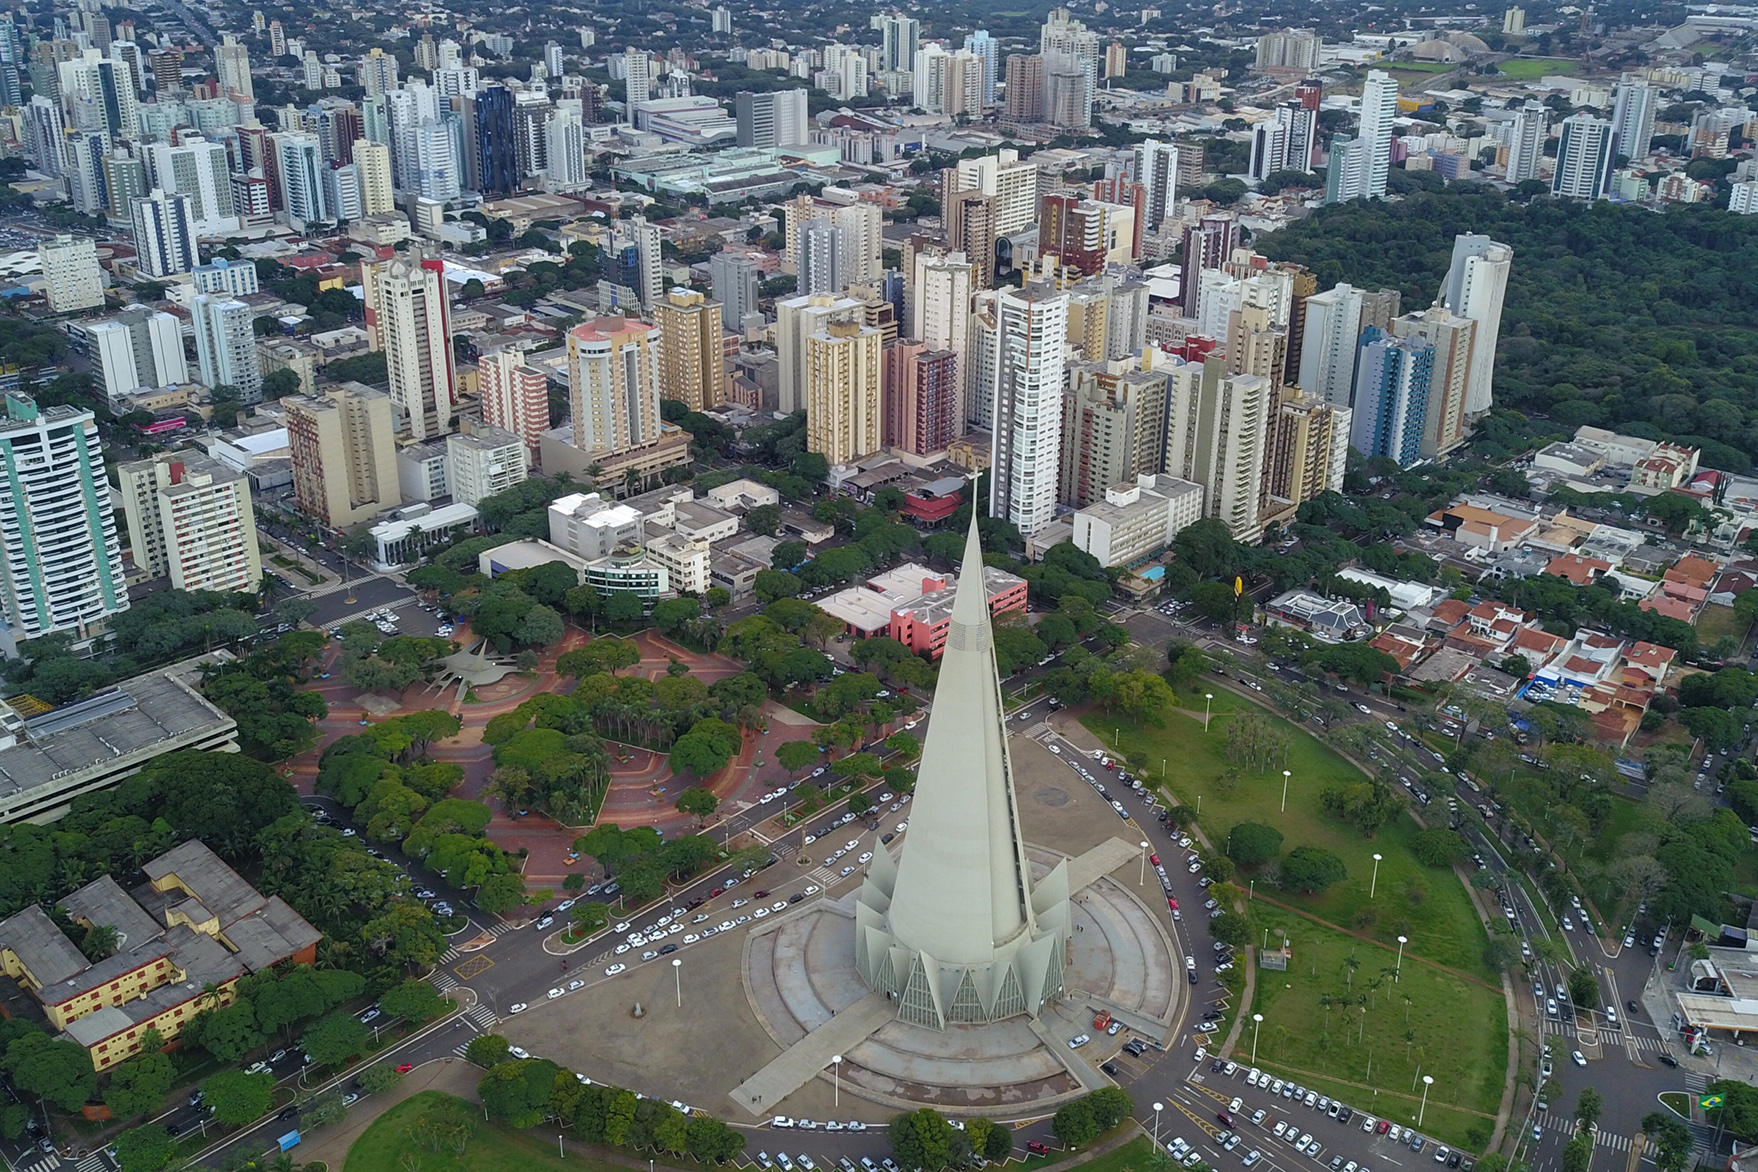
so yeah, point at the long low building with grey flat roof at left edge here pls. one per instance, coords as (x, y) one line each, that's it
(96, 742)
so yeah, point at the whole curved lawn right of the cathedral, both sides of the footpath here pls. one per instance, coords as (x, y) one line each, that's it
(1457, 1018)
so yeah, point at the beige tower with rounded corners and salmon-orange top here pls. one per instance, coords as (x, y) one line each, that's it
(614, 384)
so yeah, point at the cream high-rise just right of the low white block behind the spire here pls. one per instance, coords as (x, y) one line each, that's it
(1217, 435)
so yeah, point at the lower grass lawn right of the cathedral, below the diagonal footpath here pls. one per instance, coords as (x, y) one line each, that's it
(1453, 1031)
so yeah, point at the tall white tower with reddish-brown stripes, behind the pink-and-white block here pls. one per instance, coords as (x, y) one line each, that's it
(409, 315)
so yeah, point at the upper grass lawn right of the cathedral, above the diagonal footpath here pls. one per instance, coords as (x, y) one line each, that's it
(1427, 906)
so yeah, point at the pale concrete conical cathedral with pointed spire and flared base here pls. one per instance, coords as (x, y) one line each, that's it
(955, 930)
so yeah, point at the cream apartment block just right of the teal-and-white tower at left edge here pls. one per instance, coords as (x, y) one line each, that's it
(191, 521)
